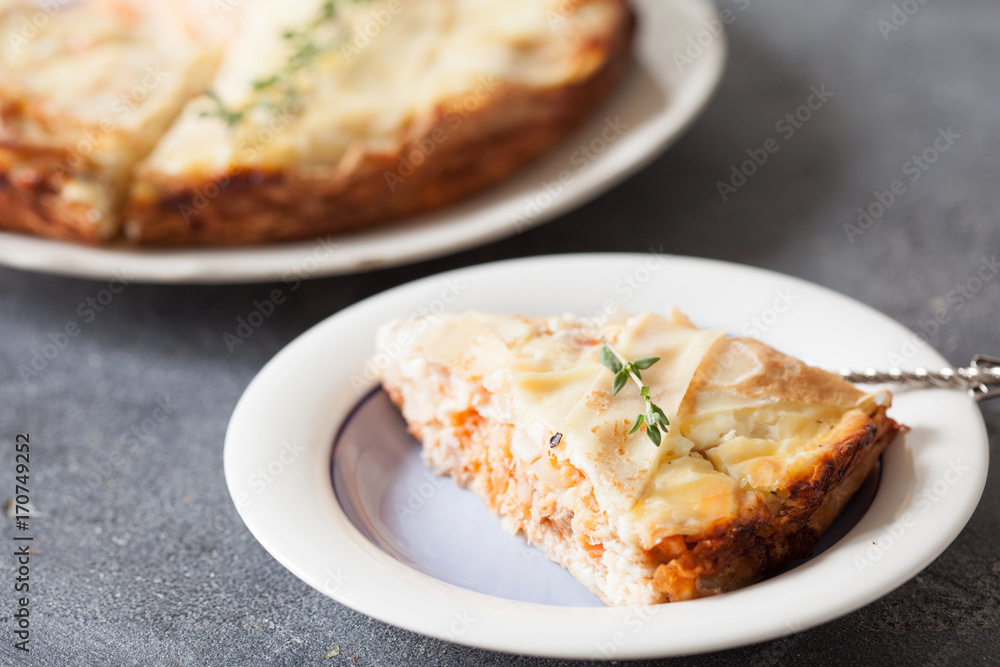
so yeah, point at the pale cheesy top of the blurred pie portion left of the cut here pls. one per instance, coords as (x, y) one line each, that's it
(100, 60)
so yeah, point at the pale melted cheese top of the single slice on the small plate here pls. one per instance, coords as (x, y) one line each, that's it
(545, 378)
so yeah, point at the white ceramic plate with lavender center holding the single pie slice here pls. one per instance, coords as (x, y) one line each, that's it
(357, 550)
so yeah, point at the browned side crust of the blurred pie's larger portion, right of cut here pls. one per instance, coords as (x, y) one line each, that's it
(514, 125)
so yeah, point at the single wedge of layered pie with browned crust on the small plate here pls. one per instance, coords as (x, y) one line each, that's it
(763, 451)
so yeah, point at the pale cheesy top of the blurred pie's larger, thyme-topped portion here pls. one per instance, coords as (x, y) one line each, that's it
(381, 67)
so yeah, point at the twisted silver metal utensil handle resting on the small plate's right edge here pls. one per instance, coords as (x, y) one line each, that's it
(981, 379)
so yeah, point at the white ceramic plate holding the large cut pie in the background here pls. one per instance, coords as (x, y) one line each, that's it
(656, 101)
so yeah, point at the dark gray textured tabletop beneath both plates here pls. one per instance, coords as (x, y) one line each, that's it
(143, 558)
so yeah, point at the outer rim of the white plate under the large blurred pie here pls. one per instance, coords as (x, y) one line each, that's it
(465, 224)
